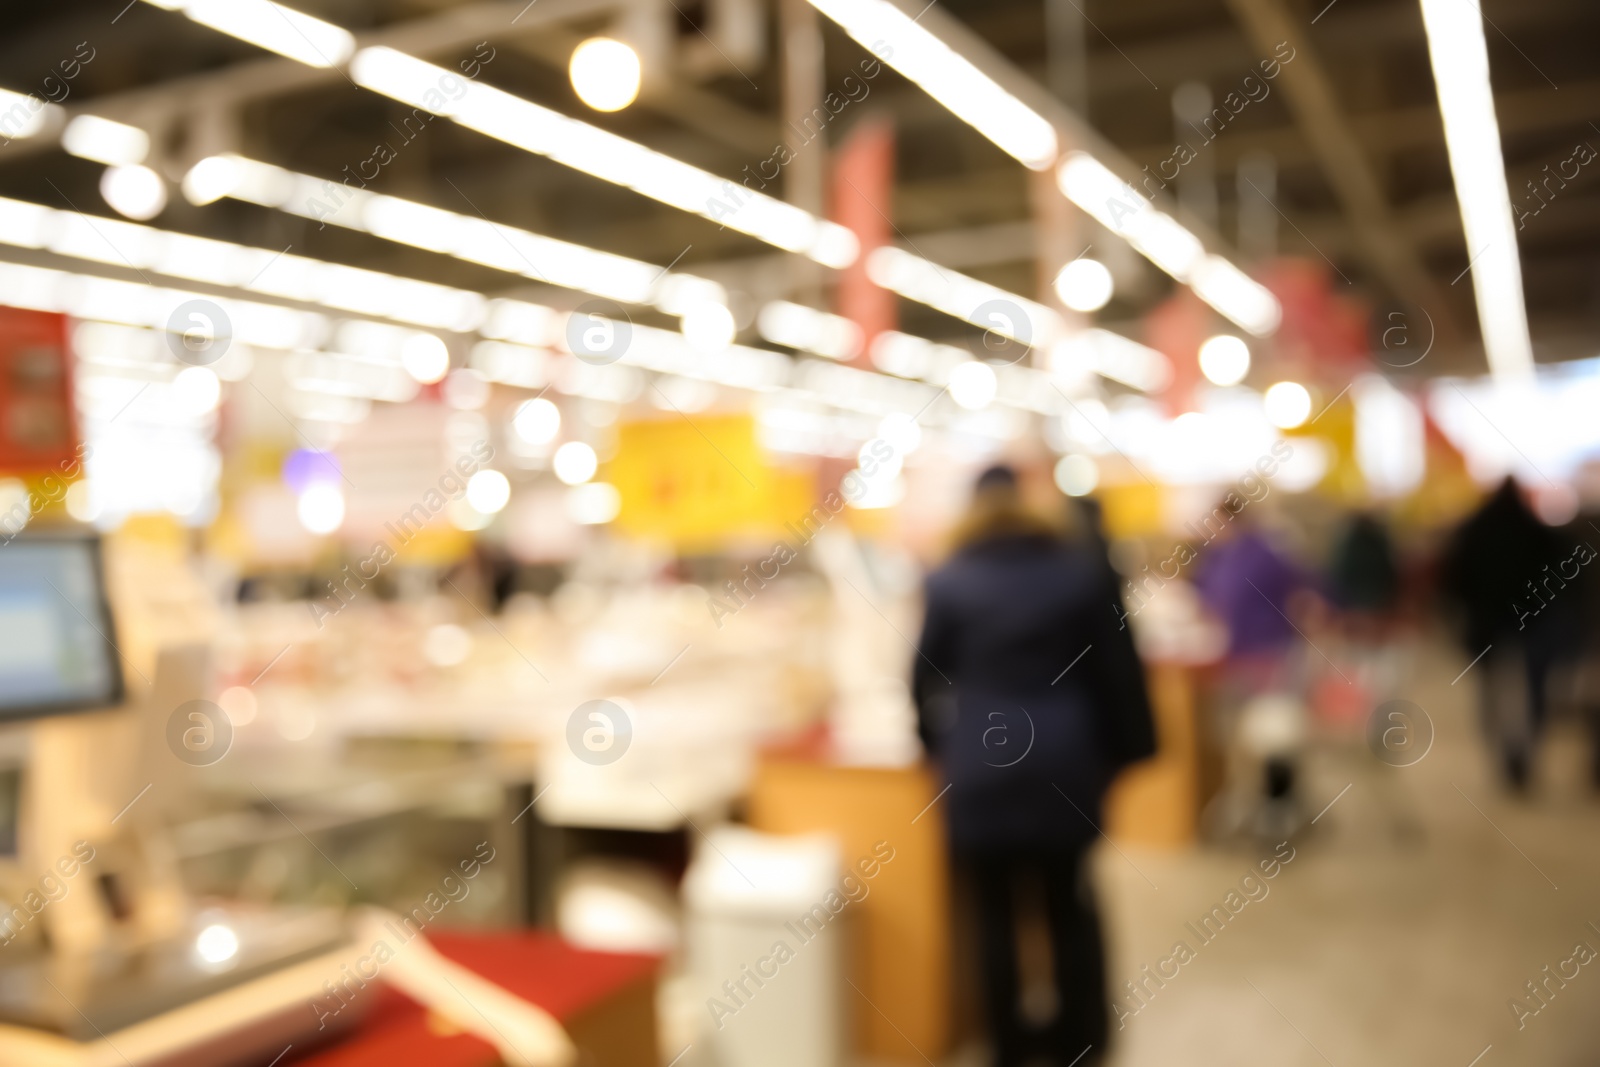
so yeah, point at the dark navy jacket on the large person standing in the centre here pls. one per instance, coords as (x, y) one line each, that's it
(1030, 692)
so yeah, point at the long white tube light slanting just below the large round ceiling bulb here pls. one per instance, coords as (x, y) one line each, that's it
(606, 156)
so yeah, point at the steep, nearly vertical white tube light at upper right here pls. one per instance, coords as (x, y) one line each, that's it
(1462, 71)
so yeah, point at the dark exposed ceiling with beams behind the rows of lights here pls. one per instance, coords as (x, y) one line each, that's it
(1345, 145)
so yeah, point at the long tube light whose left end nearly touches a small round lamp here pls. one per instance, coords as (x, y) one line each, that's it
(466, 238)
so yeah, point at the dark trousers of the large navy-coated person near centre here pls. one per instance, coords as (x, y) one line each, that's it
(1076, 948)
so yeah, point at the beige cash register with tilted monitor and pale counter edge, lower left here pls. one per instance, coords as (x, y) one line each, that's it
(105, 961)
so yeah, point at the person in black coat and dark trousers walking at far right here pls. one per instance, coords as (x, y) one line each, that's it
(1503, 570)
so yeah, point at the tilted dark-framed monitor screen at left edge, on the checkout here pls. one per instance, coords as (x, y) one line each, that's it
(57, 641)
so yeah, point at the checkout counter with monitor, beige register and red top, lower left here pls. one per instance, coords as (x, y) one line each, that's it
(110, 957)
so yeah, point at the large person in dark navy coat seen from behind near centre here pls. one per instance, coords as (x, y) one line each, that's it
(1031, 698)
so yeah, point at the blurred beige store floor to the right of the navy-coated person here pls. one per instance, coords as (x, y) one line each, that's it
(1378, 948)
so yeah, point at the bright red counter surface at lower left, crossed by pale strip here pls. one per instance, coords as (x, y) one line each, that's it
(537, 967)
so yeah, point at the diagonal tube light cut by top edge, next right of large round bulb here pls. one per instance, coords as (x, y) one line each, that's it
(966, 92)
